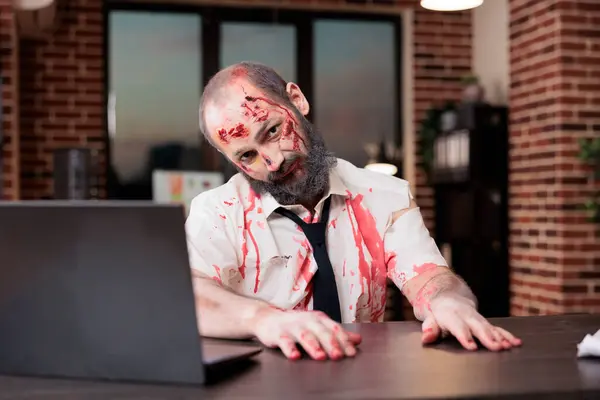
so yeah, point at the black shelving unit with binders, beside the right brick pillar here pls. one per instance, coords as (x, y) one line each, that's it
(471, 197)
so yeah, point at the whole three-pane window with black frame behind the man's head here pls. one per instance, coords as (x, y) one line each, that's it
(347, 66)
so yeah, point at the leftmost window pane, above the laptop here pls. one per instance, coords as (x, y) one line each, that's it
(154, 89)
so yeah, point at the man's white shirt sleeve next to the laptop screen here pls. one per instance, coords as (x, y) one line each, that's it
(210, 246)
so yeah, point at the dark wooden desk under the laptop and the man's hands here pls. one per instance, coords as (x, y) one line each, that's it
(392, 364)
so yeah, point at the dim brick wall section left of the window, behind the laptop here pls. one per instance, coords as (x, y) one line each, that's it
(62, 92)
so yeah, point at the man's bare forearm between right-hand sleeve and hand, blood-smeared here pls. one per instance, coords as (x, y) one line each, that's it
(442, 284)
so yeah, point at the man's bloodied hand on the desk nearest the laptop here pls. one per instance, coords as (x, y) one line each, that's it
(321, 337)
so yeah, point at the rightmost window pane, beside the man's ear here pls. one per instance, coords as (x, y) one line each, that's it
(355, 84)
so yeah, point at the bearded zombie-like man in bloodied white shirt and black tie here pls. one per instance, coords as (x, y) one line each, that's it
(261, 271)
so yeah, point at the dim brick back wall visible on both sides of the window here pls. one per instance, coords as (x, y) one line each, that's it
(62, 83)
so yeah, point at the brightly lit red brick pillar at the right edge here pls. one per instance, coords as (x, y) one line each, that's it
(554, 100)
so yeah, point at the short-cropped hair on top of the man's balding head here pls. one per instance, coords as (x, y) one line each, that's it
(258, 75)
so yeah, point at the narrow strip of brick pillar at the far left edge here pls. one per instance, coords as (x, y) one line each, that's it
(9, 78)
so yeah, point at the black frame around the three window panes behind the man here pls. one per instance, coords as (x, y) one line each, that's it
(213, 16)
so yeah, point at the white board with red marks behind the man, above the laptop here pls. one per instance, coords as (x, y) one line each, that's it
(180, 187)
